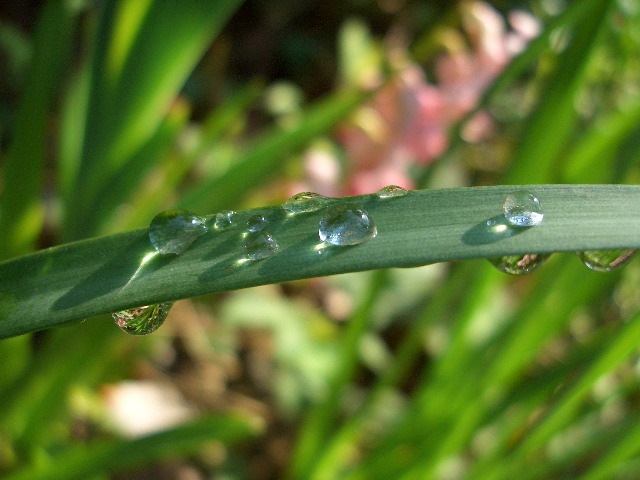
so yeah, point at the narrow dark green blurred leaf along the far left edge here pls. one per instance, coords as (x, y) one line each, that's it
(22, 211)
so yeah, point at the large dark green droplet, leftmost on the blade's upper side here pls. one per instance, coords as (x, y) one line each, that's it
(173, 231)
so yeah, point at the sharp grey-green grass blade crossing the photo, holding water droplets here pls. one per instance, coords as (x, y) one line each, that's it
(88, 278)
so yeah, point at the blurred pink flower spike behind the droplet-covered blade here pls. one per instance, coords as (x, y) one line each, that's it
(408, 121)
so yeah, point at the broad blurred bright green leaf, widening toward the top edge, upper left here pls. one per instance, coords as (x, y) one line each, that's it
(138, 67)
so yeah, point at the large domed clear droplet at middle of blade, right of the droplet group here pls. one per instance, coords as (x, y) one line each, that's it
(346, 225)
